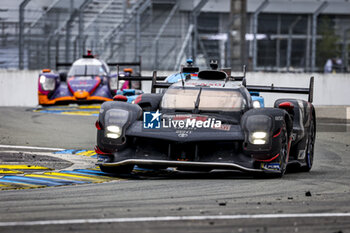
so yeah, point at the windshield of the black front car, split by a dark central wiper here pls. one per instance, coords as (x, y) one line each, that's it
(209, 99)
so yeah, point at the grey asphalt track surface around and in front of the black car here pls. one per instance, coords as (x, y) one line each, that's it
(318, 201)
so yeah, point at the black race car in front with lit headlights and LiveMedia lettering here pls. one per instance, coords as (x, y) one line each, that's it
(207, 124)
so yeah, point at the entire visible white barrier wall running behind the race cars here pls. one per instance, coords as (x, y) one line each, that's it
(19, 88)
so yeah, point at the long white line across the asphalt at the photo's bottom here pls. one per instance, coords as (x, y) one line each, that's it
(172, 218)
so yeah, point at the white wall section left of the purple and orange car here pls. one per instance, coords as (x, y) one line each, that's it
(18, 88)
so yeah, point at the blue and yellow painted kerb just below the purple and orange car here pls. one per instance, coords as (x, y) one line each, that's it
(89, 110)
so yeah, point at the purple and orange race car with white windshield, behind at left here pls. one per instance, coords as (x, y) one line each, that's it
(88, 80)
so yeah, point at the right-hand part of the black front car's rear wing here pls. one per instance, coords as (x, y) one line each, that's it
(293, 90)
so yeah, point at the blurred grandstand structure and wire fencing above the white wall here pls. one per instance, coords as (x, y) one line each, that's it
(267, 35)
